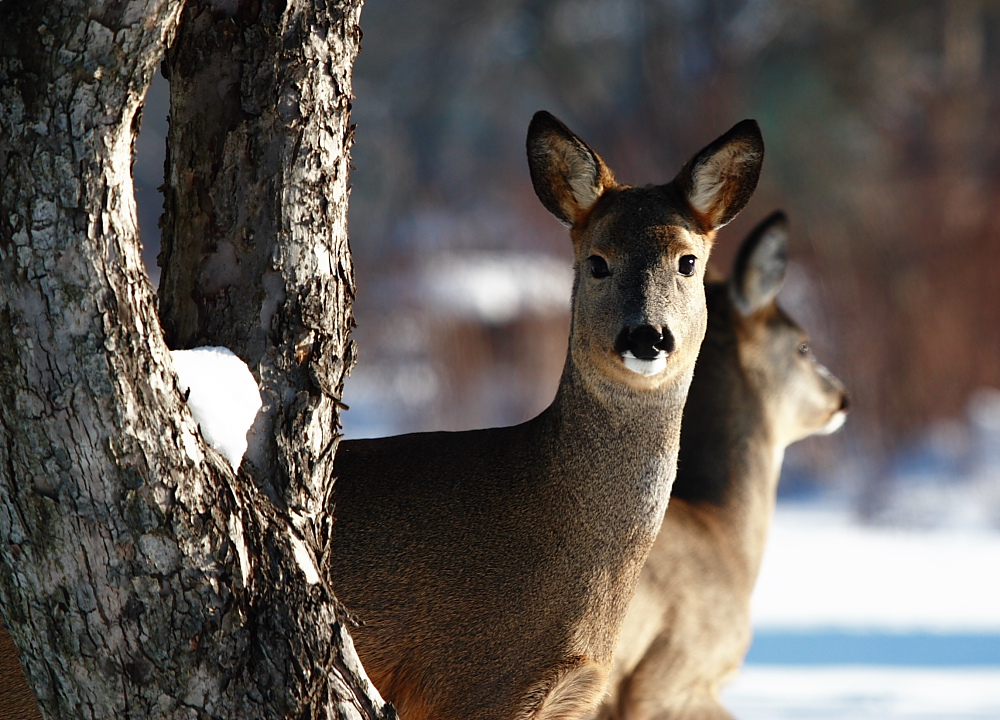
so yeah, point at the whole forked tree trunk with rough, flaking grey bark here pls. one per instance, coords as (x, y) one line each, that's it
(139, 577)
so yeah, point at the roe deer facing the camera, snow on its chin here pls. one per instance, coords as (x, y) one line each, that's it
(491, 569)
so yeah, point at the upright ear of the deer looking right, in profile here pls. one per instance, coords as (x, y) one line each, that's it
(760, 265)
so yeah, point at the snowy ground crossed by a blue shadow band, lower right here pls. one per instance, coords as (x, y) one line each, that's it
(833, 592)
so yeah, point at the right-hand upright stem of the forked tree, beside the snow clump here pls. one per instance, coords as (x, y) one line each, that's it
(255, 253)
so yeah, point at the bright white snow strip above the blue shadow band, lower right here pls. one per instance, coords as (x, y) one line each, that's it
(820, 570)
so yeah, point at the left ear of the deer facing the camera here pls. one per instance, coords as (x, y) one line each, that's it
(567, 175)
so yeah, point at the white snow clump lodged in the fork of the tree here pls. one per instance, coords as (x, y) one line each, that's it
(223, 398)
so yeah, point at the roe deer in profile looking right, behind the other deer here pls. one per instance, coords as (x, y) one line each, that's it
(756, 390)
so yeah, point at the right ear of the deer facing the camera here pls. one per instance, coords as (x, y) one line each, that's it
(719, 181)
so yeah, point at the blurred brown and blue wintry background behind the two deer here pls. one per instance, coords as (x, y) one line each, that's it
(880, 121)
